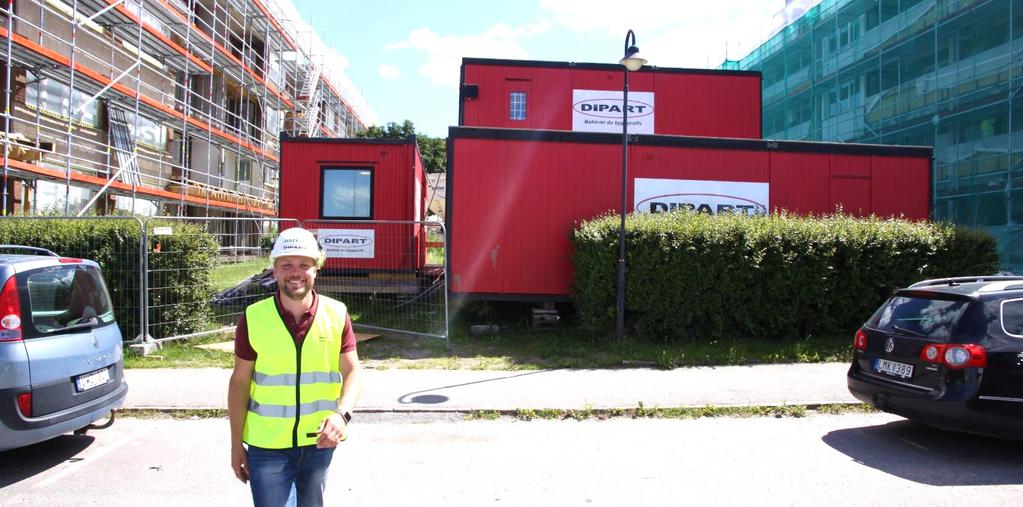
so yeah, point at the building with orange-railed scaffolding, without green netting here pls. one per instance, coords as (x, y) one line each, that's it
(168, 108)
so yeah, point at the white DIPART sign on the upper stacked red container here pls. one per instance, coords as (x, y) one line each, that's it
(603, 111)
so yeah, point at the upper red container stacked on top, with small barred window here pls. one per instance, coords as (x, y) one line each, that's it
(684, 102)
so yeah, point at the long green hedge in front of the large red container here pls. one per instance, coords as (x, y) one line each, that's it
(709, 278)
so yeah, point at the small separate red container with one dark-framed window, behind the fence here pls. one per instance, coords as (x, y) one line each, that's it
(391, 177)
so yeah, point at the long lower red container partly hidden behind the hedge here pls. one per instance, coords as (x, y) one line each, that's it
(514, 196)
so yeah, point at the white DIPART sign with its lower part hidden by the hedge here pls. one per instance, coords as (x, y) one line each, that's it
(713, 198)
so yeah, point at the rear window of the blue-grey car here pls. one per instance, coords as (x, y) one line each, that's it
(64, 299)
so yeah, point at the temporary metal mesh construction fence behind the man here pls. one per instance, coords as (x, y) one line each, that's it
(180, 278)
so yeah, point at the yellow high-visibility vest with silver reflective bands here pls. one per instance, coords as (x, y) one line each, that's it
(291, 393)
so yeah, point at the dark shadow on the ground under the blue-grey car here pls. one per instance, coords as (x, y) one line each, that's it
(20, 465)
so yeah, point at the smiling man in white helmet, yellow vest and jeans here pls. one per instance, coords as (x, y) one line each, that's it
(296, 381)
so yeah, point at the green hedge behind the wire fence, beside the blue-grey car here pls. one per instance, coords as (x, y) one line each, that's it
(182, 299)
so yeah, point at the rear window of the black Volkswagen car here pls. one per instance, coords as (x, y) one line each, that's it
(922, 316)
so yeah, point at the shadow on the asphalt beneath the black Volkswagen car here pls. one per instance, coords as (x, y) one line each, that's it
(930, 456)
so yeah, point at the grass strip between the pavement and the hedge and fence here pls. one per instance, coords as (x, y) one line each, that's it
(517, 347)
